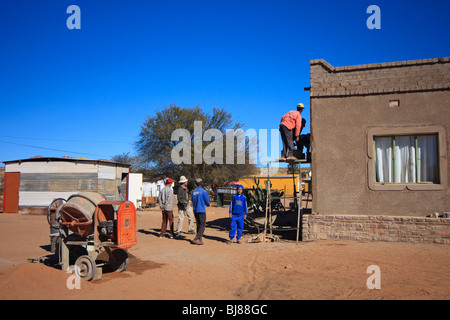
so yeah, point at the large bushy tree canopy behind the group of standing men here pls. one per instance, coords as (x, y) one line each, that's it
(154, 145)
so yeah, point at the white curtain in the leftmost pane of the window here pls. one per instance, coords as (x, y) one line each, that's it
(383, 160)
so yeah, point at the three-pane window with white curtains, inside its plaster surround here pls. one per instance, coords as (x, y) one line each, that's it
(406, 159)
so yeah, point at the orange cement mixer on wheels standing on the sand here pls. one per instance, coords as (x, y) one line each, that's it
(92, 233)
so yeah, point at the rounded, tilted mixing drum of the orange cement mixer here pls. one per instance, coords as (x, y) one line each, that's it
(79, 210)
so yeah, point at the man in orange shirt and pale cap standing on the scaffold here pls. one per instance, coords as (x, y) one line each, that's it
(290, 129)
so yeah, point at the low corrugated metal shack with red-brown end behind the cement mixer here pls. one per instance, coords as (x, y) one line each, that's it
(31, 184)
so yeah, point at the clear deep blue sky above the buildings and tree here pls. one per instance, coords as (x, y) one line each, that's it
(88, 91)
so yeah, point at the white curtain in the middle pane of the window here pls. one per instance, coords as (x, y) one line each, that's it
(405, 159)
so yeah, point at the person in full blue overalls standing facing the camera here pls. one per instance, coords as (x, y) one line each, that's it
(238, 212)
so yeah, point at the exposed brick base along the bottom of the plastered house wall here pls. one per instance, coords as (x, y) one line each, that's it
(375, 228)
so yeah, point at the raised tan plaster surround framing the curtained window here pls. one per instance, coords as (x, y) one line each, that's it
(407, 131)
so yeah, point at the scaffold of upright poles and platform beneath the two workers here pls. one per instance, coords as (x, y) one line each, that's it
(297, 198)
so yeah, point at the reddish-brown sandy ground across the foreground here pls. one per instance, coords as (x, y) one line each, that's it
(175, 269)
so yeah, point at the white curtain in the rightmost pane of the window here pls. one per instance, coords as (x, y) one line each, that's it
(427, 160)
